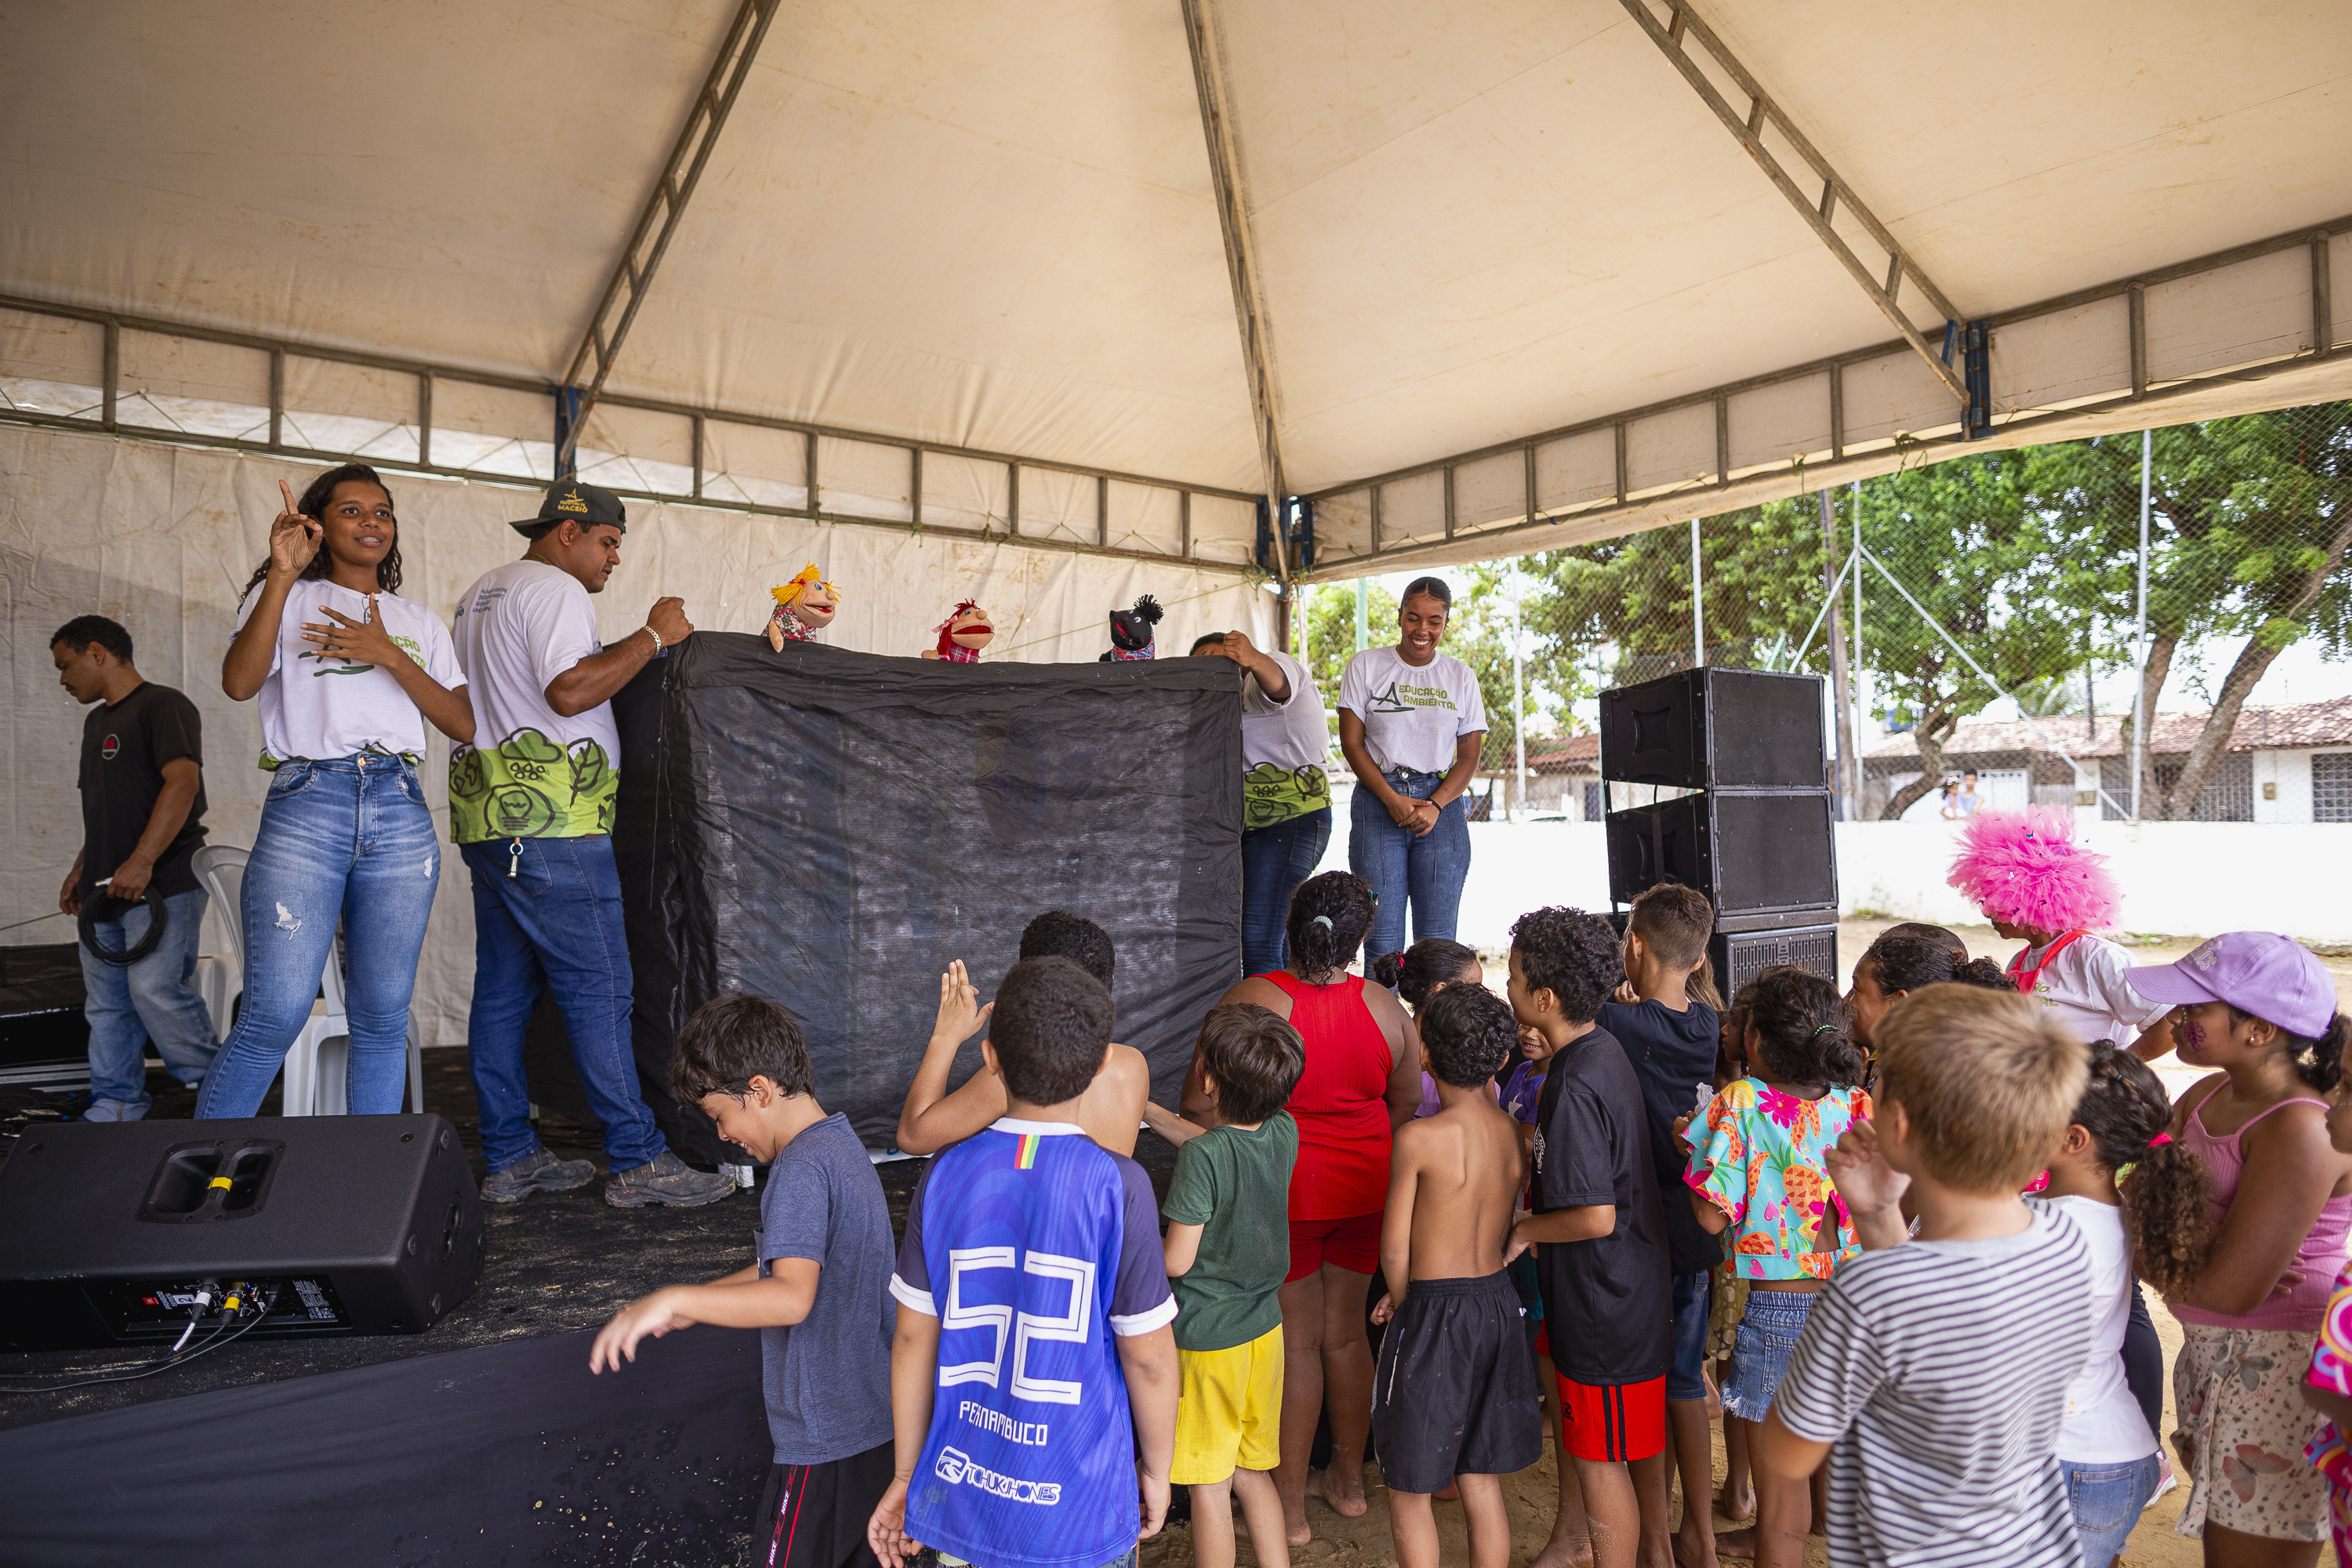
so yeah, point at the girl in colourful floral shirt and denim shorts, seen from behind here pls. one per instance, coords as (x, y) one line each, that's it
(1758, 1177)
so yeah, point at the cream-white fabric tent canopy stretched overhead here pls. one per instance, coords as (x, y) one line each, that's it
(1511, 234)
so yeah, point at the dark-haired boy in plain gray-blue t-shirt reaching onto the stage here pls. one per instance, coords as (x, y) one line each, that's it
(817, 1289)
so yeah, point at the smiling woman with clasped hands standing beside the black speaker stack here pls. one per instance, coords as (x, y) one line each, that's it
(1410, 723)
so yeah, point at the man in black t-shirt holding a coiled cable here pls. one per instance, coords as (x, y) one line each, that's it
(142, 822)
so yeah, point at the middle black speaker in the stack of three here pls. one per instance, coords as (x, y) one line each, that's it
(1751, 852)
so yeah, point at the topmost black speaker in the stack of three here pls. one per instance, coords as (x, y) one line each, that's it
(1718, 730)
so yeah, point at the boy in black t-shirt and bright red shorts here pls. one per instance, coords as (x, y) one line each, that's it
(1601, 1235)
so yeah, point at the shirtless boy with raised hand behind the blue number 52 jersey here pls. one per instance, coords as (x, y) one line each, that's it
(1111, 1111)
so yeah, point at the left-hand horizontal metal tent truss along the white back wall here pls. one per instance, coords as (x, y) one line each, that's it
(116, 323)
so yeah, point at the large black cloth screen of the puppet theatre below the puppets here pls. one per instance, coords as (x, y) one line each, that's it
(831, 829)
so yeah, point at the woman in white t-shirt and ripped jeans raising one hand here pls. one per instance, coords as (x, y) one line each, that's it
(347, 674)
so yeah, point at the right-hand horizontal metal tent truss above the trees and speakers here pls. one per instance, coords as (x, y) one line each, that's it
(1840, 462)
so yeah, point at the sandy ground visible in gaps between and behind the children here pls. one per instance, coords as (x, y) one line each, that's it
(1532, 1494)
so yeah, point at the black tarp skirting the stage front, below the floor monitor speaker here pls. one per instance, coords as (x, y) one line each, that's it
(502, 1454)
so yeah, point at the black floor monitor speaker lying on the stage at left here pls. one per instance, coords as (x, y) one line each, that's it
(342, 1224)
